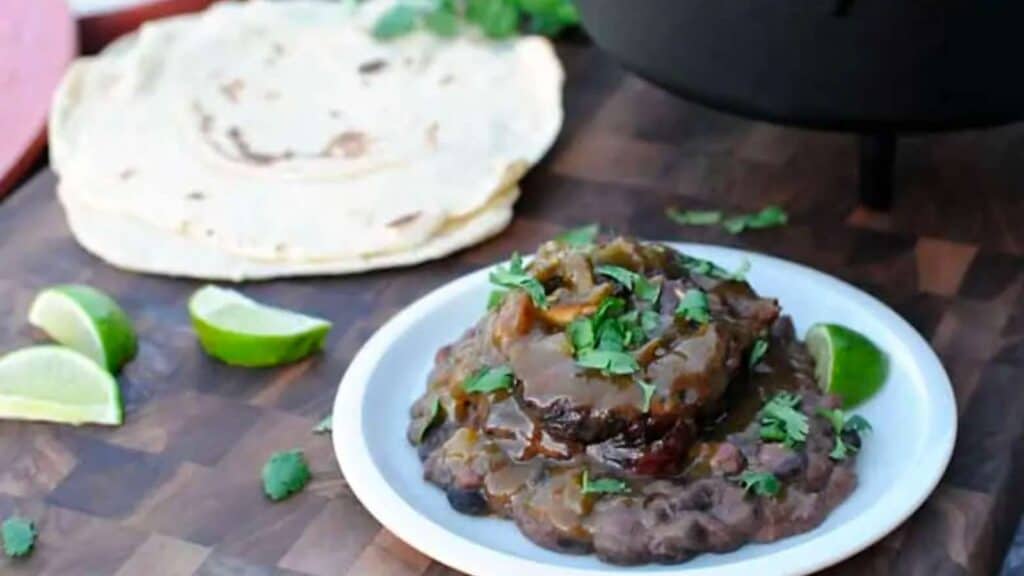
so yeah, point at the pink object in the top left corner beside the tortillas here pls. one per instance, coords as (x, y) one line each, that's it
(37, 43)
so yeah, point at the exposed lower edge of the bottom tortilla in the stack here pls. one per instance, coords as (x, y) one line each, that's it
(131, 244)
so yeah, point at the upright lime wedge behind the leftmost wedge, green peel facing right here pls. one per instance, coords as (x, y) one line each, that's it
(89, 321)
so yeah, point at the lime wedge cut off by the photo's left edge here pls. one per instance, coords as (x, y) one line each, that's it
(58, 385)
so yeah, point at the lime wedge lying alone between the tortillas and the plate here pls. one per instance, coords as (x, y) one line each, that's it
(243, 333)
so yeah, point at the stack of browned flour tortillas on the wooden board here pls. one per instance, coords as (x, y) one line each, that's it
(280, 139)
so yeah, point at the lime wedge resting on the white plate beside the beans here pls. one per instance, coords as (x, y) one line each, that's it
(846, 363)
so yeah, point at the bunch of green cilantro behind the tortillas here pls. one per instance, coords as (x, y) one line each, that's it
(496, 19)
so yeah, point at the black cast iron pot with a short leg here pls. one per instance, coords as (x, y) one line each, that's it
(873, 67)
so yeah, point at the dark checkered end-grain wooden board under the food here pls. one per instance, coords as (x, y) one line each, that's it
(177, 490)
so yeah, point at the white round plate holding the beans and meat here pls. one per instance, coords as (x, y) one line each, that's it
(915, 421)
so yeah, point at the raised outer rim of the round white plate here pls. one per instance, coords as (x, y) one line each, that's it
(436, 542)
